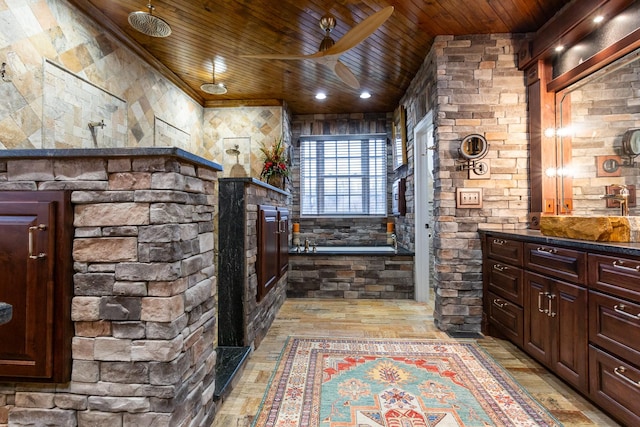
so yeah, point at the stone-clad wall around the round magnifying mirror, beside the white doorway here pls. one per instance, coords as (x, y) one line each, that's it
(473, 85)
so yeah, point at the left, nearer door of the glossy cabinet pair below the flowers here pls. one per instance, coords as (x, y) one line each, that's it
(267, 249)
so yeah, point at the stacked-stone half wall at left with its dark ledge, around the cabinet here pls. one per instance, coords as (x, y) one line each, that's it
(144, 307)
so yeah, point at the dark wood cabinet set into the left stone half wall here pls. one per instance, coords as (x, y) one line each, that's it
(35, 279)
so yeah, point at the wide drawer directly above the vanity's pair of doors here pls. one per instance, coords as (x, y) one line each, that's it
(558, 262)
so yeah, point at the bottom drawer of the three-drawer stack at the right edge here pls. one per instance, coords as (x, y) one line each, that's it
(615, 386)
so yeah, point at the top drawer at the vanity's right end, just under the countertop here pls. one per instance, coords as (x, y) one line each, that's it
(619, 276)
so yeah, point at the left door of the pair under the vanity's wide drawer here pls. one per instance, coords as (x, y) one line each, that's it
(537, 327)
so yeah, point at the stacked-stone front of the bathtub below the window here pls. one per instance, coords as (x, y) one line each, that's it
(350, 276)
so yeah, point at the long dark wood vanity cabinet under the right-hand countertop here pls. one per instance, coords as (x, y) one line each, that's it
(580, 313)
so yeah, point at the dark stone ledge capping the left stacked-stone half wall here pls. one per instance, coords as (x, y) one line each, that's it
(110, 153)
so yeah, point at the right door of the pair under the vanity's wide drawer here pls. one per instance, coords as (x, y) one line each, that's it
(569, 316)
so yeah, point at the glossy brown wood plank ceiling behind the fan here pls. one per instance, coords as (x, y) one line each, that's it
(384, 63)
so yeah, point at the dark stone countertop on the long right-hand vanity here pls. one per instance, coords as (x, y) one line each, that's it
(614, 248)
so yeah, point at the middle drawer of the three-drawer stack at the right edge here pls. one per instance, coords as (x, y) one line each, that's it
(614, 324)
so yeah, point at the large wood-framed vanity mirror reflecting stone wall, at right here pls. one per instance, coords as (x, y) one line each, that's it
(597, 138)
